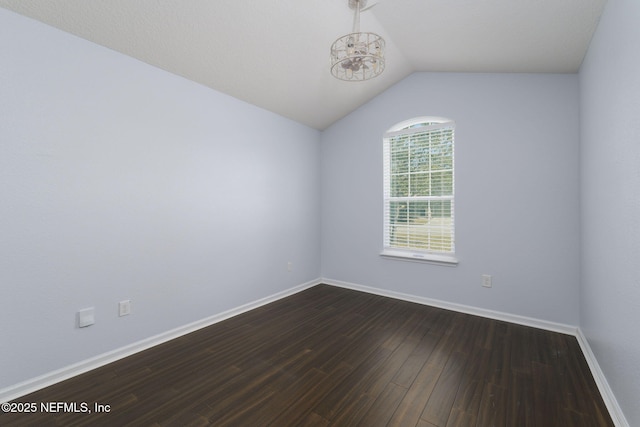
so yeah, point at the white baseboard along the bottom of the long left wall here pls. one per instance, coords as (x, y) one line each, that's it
(17, 390)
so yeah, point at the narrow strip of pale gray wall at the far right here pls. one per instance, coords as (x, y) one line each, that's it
(610, 200)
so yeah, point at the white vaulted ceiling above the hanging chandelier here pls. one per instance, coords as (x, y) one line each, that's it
(275, 53)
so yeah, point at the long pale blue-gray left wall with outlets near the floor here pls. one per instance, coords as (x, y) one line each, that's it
(121, 181)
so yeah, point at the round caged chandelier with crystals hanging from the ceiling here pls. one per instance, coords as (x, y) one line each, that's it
(357, 56)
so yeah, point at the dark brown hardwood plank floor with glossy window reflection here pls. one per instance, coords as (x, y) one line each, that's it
(335, 357)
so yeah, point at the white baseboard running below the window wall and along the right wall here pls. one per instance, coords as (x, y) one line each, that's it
(603, 386)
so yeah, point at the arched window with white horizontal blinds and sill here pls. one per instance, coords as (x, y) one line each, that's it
(419, 189)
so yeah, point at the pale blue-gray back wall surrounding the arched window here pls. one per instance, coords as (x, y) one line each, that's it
(517, 204)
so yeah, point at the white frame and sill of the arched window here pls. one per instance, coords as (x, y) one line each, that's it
(417, 126)
